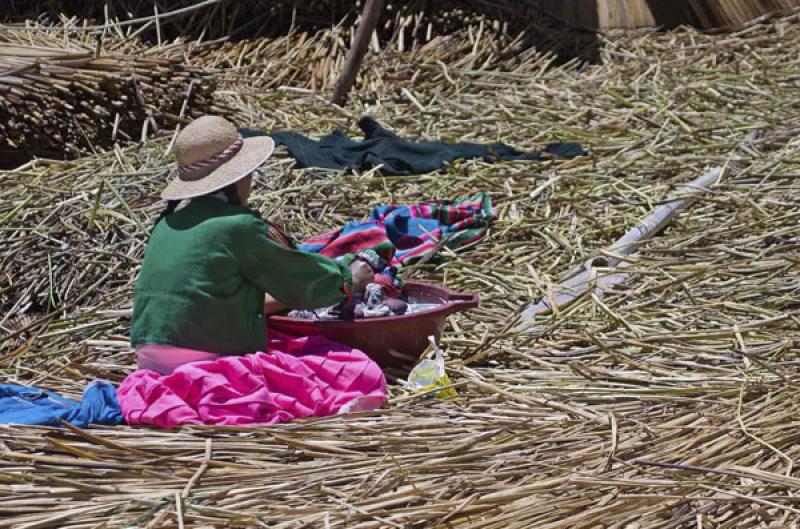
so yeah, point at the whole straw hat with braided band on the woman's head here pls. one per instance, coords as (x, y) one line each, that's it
(210, 155)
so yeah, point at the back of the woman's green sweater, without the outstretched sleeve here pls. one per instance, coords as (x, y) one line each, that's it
(191, 291)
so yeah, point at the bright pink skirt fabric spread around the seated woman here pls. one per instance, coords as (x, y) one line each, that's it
(295, 378)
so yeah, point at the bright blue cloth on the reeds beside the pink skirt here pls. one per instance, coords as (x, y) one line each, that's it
(29, 405)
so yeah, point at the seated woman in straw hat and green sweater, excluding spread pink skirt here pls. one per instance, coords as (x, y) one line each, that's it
(210, 266)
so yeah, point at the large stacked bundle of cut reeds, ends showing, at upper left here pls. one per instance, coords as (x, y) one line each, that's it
(64, 103)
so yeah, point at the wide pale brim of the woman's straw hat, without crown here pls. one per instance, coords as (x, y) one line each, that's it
(254, 152)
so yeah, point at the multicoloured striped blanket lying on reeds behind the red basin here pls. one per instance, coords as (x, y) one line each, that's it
(403, 235)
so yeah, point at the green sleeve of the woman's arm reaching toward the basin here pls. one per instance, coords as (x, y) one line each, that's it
(295, 279)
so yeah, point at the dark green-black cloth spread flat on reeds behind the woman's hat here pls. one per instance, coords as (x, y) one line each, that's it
(398, 156)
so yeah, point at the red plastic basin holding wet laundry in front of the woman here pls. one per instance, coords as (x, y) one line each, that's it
(394, 341)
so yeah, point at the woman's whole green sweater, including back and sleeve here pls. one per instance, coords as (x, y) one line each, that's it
(206, 269)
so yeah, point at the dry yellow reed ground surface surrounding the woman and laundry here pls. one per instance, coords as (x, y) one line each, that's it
(679, 388)
